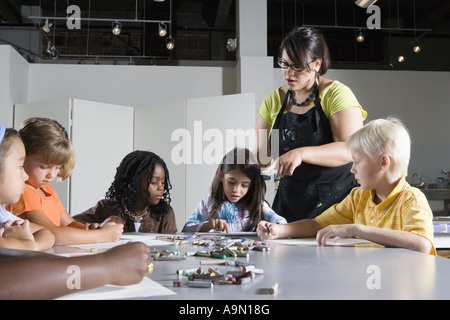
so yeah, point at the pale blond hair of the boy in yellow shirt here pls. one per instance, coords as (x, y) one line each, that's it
(384, 136)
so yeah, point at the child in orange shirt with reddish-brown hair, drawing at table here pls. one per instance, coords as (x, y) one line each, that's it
(49, 154)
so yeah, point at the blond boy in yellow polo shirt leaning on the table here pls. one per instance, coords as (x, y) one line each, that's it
(385, 209)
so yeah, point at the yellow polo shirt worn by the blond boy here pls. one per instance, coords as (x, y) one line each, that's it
(406, 208)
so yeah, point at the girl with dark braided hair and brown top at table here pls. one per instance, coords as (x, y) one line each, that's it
(139, 195)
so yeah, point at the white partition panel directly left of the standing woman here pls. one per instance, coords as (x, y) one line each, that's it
(216, 125)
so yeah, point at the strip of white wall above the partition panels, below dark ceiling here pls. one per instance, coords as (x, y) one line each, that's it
(126, 85)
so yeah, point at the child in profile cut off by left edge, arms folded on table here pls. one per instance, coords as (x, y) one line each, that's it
(16, 233)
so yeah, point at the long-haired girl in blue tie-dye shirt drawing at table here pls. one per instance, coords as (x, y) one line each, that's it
(236, 202)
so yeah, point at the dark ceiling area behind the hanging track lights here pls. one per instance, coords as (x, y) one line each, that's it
(201, 29)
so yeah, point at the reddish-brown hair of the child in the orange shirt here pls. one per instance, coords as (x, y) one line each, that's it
(47, 140)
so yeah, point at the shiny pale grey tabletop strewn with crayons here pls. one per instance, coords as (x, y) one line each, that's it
(301, 269)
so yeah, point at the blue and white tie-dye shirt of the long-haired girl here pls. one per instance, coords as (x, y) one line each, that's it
(236, 218)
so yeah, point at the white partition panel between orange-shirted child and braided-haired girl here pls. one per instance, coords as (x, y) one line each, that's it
(102, 135)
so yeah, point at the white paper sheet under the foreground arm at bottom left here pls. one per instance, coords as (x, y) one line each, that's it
(146, 288)
